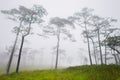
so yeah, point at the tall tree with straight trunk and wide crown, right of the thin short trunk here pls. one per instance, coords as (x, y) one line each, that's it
(101, 24)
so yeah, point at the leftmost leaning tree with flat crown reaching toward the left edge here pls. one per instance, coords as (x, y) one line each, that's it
(17, 16)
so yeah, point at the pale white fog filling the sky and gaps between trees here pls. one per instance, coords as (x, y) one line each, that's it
(38, 52)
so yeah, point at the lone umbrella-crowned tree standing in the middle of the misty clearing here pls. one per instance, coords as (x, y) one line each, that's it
(57, 27)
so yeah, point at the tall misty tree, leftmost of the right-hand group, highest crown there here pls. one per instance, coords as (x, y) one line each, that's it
(83, 19)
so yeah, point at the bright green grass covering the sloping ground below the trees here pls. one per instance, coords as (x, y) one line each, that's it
(104, 72)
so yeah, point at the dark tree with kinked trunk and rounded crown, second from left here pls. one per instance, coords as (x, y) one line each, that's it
(33, 15)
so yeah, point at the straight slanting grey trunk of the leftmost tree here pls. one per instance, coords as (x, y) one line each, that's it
(13, 49)
